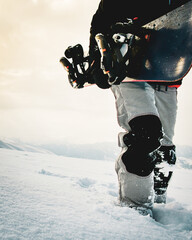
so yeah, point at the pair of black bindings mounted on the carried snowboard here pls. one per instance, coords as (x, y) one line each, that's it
(106, 70)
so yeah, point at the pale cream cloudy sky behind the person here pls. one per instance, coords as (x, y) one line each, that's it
(37, 104)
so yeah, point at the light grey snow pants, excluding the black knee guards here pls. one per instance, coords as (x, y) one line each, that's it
(138, 99)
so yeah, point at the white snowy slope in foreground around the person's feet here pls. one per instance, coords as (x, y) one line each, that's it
(49, 197)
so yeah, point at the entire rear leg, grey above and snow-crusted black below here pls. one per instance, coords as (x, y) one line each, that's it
(166, 102)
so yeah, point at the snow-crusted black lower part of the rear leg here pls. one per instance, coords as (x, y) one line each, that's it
(165, 160)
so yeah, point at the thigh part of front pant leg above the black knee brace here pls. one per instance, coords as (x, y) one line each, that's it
(133, 100)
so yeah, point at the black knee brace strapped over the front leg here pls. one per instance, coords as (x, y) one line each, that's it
(143, 139)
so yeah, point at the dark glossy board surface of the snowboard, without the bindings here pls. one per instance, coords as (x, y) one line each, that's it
(166, 55)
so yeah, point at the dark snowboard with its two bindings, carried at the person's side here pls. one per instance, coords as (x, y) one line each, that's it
(159, 51)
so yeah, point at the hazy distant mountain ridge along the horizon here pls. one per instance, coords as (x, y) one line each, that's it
(100, 151)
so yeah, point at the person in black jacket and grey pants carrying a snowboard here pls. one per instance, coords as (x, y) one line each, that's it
(146, 111)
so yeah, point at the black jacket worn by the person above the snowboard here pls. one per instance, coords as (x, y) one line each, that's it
(112, 11)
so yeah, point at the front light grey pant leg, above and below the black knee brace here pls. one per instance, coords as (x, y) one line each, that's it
(133, 100)
